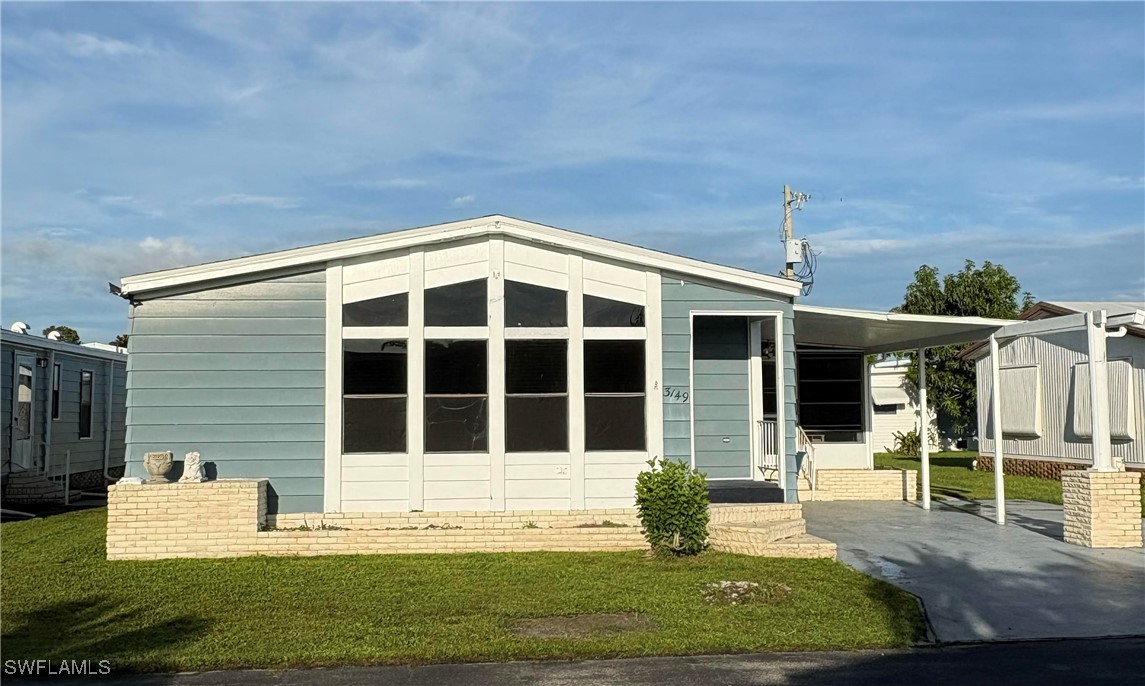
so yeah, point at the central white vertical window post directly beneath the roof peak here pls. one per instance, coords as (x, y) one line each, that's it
(496, 286)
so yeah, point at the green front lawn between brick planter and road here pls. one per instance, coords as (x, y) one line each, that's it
(62, 600)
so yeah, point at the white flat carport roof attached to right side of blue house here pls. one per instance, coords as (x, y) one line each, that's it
(886, 333)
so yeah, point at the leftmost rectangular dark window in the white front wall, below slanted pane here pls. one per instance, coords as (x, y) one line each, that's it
(375, 387)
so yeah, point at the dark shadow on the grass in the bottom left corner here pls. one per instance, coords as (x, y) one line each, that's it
(98, 629)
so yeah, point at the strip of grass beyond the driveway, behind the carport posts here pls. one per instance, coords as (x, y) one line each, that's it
(953, 476)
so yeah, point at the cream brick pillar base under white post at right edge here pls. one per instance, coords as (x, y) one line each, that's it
(1102, 509)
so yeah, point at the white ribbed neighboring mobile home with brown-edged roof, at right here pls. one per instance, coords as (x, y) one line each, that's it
(1046, 403)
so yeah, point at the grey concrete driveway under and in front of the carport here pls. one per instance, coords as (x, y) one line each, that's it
(980, 581)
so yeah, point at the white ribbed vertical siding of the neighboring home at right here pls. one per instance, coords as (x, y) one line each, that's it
(1056, 354)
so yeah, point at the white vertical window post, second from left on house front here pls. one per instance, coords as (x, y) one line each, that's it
(416, 362)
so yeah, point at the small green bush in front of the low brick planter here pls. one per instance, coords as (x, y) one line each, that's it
(673, 504)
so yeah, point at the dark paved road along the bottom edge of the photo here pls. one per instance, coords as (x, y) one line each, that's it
(1044, 664)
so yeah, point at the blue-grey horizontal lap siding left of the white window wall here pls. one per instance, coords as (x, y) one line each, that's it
(238, 375)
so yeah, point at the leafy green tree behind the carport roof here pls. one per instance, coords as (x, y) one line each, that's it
(986, 291)
